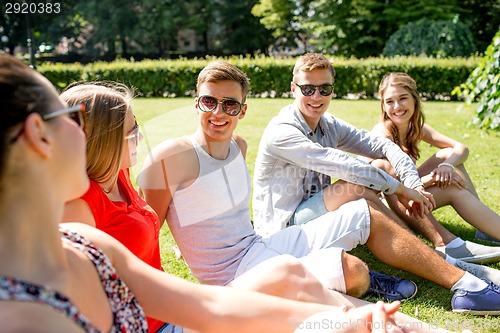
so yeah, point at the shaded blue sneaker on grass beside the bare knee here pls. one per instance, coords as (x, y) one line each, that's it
(391, 288)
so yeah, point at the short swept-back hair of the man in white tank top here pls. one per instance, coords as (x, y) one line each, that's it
(223, 71)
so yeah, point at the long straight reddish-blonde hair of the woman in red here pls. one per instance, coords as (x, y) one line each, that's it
(106, 104)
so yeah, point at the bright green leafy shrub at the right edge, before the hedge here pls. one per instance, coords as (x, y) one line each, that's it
(483, 85)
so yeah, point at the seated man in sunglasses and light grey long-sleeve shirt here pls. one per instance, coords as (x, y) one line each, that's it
(304, 146)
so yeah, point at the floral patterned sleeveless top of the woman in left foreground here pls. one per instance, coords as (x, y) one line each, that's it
(128, 314)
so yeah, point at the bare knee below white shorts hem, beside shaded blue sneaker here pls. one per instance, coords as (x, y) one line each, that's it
(356, 275)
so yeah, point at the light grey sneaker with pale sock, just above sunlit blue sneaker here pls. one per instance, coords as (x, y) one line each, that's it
(472, 252)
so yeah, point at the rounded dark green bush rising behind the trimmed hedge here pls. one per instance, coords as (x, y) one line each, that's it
(431, 38)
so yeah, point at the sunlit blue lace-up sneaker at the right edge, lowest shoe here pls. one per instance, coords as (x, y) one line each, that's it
(483, 302)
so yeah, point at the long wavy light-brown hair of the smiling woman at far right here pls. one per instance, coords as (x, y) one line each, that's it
(414, 135)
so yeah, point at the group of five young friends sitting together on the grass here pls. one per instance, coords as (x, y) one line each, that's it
(321, 187)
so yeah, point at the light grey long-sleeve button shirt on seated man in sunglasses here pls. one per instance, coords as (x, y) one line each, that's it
(289, 151)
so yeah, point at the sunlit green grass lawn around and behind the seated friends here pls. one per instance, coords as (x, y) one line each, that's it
(161, 119)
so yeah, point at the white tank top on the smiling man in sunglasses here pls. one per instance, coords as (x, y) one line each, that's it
(210, 219)
